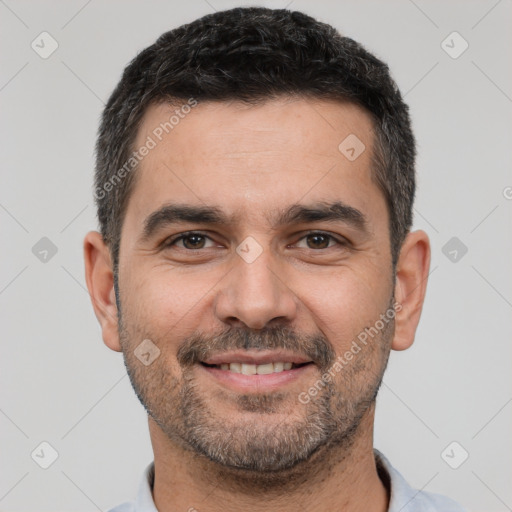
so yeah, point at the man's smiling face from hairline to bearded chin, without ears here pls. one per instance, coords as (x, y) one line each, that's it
(251, 286)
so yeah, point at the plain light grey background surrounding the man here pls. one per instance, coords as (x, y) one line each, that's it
(60, 384)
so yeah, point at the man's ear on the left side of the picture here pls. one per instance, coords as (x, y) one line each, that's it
(100, 282)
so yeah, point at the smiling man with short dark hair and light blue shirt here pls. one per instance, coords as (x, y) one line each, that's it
(254, 184)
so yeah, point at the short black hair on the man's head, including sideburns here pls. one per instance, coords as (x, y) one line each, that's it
(252, 55)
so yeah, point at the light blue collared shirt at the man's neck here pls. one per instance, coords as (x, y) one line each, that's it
(403, 497)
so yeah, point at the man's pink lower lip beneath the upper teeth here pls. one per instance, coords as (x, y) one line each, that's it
(257, 383)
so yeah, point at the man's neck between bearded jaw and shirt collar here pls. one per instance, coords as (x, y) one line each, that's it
(334, 478)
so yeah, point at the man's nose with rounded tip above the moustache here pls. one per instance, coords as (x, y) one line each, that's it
(256, 294)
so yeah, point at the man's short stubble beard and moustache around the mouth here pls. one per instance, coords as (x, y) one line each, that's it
(258, 446)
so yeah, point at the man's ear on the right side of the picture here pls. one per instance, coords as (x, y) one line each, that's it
(411, 284)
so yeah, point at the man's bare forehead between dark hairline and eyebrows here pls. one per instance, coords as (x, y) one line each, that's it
(252, 158)
